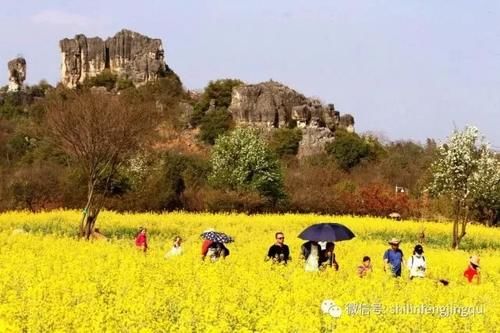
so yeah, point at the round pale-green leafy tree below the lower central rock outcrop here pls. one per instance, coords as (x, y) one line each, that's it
(241, 161)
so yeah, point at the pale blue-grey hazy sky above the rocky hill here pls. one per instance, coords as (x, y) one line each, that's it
(405, 69)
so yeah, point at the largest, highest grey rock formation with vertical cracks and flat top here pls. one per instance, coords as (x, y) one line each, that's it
(128, 54)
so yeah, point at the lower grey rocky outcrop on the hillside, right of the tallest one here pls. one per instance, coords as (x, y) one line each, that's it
(274, 105)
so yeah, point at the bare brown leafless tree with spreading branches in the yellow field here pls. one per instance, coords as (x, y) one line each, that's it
(99, 132)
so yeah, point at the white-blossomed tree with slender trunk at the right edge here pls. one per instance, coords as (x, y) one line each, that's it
(467, 172)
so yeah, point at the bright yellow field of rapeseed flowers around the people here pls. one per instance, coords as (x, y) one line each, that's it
(53, 282)
